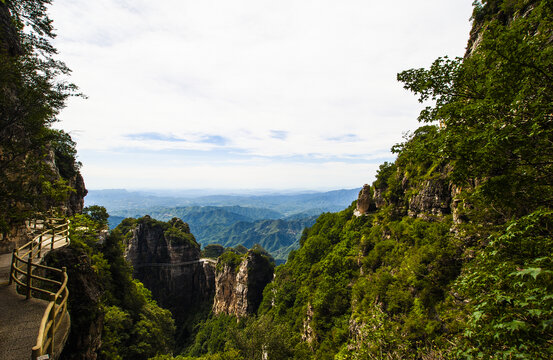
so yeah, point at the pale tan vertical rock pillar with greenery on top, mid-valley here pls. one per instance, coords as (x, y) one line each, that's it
(239, 284)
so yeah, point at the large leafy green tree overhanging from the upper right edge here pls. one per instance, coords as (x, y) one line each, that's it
(496, 107)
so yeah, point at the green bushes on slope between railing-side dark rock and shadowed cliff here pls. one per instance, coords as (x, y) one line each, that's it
(135, 327)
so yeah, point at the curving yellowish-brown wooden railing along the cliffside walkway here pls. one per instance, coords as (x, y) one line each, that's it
(24, 273)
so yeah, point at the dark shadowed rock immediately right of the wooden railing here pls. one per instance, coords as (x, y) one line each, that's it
(85, 291)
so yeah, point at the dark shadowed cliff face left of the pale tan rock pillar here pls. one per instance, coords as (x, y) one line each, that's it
(166, 259)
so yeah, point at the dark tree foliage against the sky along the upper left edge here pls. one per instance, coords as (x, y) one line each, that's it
(31, 96)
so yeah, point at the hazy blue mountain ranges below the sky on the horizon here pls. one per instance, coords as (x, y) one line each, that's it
(275, 221)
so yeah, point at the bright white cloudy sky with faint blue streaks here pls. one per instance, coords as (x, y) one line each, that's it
(246, 94)
